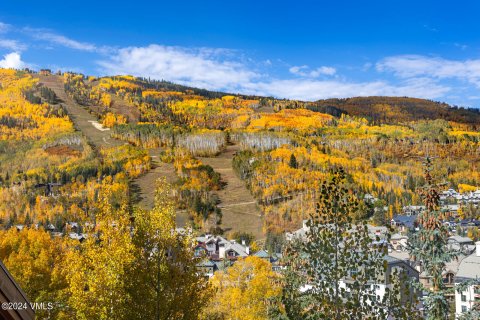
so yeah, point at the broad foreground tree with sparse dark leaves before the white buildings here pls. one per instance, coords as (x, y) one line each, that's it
(331, 273)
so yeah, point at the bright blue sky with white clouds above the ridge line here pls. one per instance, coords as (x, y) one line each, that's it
(294, 49)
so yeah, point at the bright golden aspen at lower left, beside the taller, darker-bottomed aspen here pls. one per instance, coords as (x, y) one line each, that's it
(96, 270)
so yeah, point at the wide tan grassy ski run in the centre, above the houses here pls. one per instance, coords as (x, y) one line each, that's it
(239, 208)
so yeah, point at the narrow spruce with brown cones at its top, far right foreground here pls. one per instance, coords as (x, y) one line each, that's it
(429, 246)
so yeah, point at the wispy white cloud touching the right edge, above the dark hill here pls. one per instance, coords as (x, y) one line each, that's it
(407, 66)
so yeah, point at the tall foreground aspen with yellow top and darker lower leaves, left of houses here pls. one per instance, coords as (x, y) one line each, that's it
(164, 282)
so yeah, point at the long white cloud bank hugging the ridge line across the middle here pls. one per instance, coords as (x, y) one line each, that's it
(221, 70)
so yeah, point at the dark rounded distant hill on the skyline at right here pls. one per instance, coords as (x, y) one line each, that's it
(396, 109)
